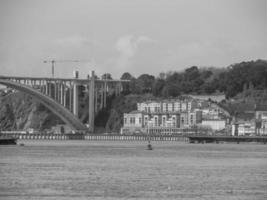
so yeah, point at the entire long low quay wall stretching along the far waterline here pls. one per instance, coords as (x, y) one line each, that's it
(102, 137)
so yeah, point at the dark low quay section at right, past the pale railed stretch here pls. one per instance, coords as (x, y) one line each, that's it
(218, 139)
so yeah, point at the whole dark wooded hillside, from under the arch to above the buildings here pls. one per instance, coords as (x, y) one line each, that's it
(244, 84)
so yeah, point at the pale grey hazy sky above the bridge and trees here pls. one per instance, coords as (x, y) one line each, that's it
(117, 36)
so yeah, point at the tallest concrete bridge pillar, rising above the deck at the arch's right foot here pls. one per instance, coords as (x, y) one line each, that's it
(92, 102)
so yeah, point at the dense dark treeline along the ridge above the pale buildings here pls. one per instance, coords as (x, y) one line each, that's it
(231, 80)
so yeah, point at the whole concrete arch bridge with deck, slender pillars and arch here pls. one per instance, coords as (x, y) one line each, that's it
(60, 95)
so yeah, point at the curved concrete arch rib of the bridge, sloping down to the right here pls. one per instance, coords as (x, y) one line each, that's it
(64, 114)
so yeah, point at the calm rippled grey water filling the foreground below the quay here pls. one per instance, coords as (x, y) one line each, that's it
(125, 170)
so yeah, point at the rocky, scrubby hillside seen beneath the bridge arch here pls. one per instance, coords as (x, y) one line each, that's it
(19, 111)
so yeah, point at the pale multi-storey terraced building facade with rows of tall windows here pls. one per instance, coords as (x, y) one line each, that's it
(175, 114)
